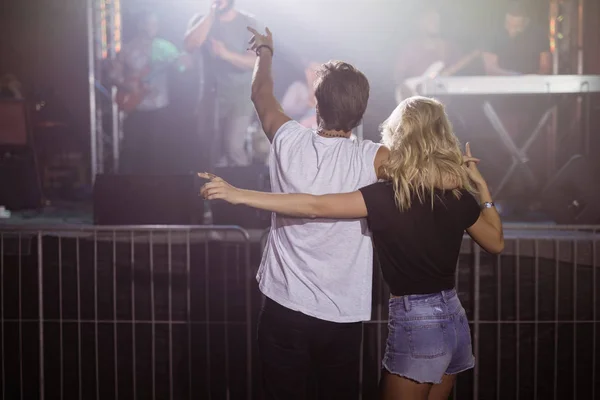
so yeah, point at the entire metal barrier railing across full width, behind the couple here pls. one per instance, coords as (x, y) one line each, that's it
(169, 313)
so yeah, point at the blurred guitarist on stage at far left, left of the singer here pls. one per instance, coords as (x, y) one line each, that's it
(141, 75)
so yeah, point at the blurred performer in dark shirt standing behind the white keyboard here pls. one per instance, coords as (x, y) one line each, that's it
(520, 48)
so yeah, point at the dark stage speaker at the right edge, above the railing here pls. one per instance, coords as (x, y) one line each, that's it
(573, 195)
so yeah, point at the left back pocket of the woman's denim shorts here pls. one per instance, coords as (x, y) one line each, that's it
(427, 340)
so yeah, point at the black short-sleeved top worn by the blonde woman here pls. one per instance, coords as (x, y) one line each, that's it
(418, 249)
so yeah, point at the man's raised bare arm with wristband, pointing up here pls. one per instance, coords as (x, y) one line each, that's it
(267, 107)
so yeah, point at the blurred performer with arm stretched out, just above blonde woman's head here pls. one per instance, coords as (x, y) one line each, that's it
(427, 56)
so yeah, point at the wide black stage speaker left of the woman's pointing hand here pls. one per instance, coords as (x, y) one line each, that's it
(147, 200)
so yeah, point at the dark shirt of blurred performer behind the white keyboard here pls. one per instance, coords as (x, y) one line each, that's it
(522, 53)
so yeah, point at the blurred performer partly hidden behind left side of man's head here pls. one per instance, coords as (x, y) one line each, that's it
(299, 101)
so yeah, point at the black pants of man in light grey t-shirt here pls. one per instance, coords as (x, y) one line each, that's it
(306, 358)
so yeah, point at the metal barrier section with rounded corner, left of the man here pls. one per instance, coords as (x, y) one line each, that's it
(125, 313)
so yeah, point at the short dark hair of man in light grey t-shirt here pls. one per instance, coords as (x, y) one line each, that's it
(342, 94)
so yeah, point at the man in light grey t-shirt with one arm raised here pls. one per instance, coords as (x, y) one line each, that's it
(316, 274)
